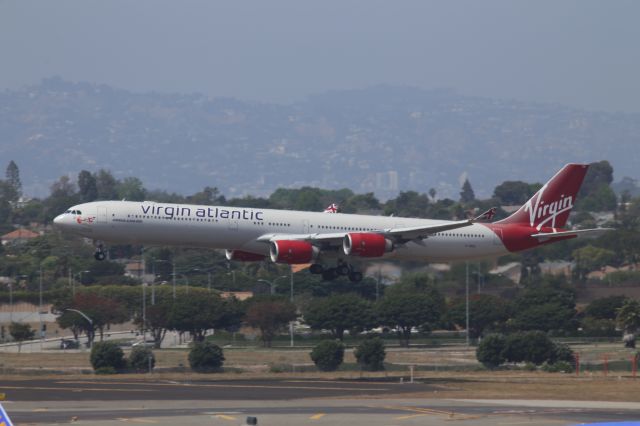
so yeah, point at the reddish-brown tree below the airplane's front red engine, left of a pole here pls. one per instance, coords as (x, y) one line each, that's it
(270, 316)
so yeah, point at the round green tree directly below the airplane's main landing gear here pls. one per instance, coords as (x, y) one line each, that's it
(338, 313)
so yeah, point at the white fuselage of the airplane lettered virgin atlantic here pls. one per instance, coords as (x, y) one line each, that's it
(238, 228)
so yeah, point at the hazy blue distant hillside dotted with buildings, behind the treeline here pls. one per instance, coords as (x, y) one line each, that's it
(381, 139)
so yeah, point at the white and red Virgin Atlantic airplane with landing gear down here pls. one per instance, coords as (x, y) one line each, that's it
(320, 239)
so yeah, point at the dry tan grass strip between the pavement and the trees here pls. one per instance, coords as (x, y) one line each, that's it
(252, 363)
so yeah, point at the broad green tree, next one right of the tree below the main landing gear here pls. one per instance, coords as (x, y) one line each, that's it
(406, 306)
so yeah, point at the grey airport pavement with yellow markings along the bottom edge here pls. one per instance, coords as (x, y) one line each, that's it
(283, 403)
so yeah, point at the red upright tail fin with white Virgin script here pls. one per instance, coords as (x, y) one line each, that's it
(551, 205)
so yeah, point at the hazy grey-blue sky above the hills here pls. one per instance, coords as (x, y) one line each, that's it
(580, 53)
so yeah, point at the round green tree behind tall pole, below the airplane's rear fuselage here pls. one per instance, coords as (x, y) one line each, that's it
(485, 311)
